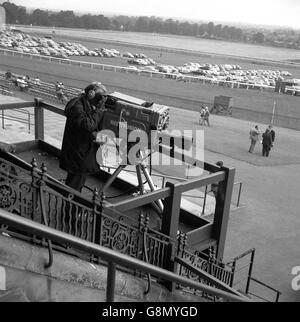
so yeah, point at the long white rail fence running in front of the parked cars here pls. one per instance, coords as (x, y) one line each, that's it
(146, 73)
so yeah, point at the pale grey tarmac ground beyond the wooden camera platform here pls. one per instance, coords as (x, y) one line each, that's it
(269, 220)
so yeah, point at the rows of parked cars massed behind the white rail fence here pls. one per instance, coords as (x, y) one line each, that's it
(25, 43)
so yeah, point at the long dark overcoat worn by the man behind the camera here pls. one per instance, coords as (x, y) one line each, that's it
(78, 153)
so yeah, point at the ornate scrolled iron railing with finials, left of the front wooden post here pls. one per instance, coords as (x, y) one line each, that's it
(29, 194)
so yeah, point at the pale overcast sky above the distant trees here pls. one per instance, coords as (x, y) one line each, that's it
(262, 12)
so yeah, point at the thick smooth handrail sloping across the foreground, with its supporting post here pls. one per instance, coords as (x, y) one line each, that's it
(109, 256)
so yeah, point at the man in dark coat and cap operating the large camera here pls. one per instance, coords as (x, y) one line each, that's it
(84, 117)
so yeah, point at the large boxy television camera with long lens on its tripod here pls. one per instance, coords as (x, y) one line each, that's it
(148, 118)
